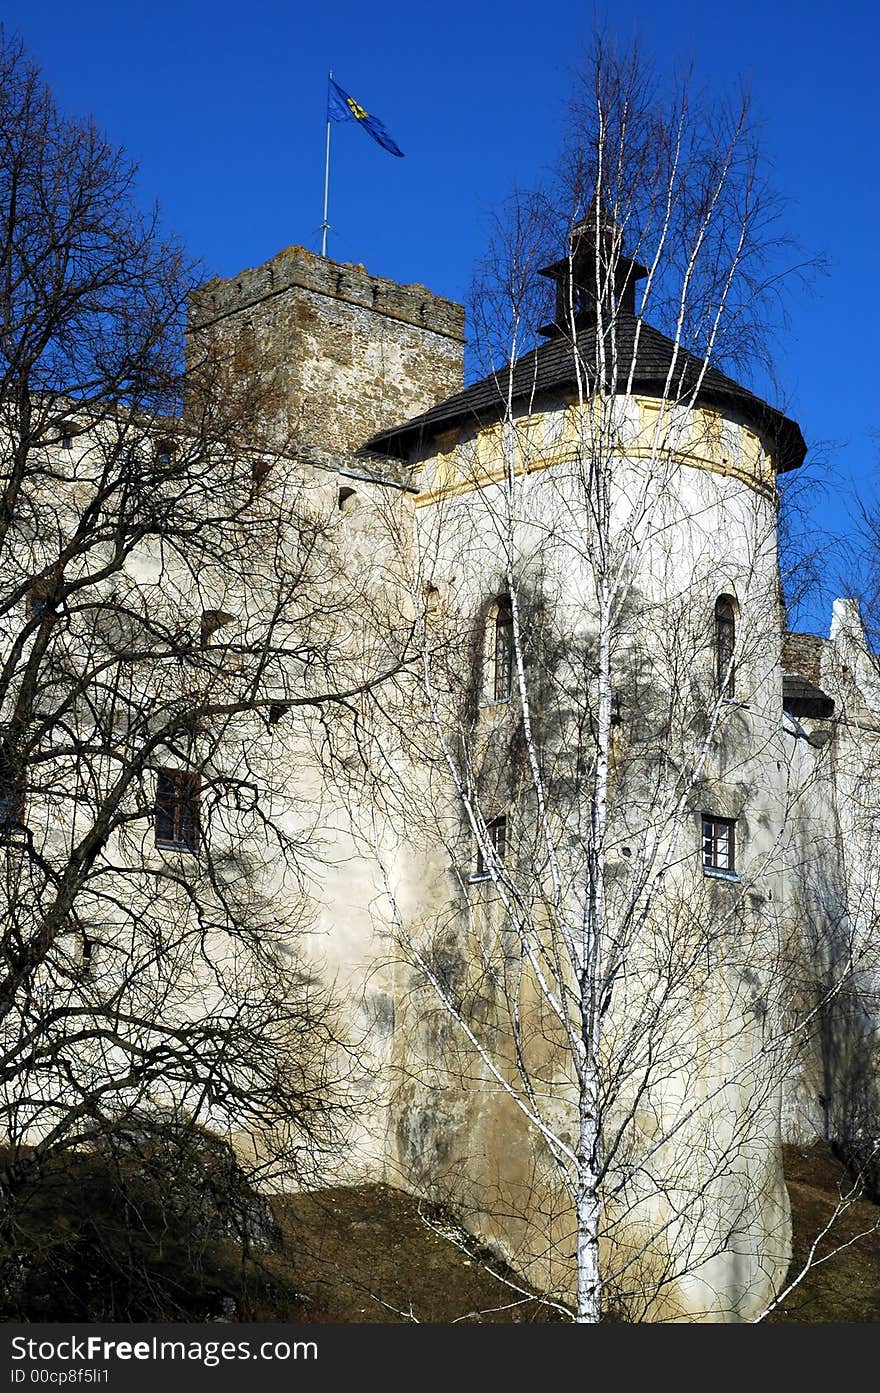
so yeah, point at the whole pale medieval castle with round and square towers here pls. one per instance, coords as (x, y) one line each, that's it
(597, 878)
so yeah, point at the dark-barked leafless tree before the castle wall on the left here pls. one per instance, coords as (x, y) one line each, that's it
(178, 626)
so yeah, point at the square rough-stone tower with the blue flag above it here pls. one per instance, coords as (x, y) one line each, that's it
(345, 355)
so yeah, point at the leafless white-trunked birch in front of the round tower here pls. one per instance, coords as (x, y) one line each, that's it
(599, 753)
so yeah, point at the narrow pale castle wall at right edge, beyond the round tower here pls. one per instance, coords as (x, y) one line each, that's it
(833, 891)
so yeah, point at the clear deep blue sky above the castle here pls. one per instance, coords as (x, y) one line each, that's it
(223, 107)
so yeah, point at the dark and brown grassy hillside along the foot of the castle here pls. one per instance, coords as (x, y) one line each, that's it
(120, 1243)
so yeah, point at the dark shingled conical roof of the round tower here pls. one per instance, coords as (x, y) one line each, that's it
(551, 370)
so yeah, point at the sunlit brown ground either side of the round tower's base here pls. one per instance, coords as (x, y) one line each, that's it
(366, 1254)
